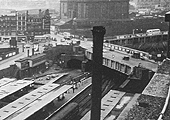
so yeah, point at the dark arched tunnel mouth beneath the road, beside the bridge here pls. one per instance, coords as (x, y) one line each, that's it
(74, 64)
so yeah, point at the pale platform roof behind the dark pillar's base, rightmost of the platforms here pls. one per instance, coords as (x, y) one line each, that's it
(113, 104)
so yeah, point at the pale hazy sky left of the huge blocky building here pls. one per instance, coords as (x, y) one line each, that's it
(29, 4)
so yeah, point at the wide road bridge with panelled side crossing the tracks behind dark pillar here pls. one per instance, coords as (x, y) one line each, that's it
(122, 59)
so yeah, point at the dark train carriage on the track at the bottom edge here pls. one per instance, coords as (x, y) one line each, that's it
(69, 112)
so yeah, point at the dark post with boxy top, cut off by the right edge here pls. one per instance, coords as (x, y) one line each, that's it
(167, 19)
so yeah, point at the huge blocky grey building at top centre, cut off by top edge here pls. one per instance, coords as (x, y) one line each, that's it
(90, 11)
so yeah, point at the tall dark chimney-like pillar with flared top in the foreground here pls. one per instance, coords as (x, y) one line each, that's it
(98, 38)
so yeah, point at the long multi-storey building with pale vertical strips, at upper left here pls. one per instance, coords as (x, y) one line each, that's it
(24, 24)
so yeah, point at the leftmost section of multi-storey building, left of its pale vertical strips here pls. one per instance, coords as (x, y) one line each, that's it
(8, 26)
